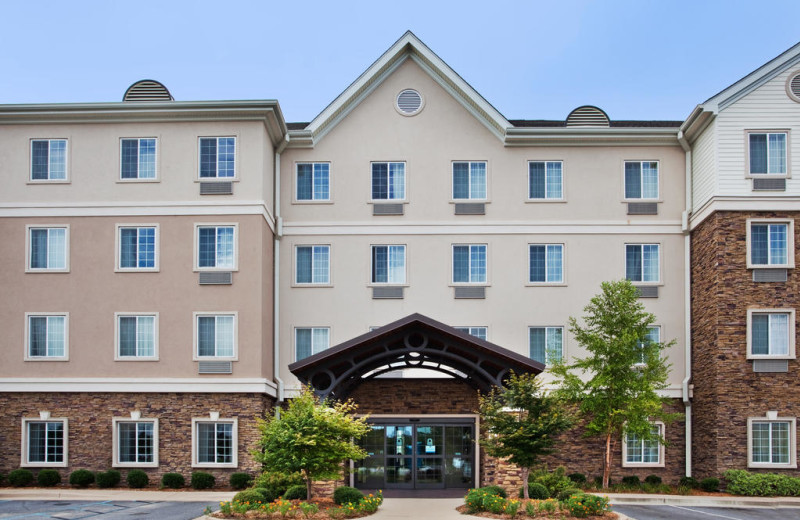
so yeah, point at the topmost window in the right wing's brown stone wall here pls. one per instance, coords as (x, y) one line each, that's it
(770, 243)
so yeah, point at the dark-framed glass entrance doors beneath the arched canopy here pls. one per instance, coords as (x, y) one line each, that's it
(412, 454)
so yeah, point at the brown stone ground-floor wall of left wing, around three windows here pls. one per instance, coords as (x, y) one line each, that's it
(90, 427)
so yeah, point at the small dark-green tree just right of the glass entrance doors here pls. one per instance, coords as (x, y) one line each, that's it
(521, 422)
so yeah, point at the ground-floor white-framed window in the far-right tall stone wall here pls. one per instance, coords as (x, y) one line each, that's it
(771, 441)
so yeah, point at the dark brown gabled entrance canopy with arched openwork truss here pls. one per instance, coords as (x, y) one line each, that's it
(415, 341)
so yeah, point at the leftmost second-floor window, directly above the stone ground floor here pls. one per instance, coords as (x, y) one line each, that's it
(47, 336)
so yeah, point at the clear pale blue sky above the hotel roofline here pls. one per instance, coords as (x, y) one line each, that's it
(532, 60)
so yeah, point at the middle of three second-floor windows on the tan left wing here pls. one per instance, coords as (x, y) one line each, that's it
(136, 335)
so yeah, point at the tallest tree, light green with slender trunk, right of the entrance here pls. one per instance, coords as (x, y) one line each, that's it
(616, 385)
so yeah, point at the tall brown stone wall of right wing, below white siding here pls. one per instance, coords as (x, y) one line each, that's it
(726, 390)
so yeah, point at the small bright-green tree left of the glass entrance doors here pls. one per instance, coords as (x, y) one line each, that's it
(312, 437)
